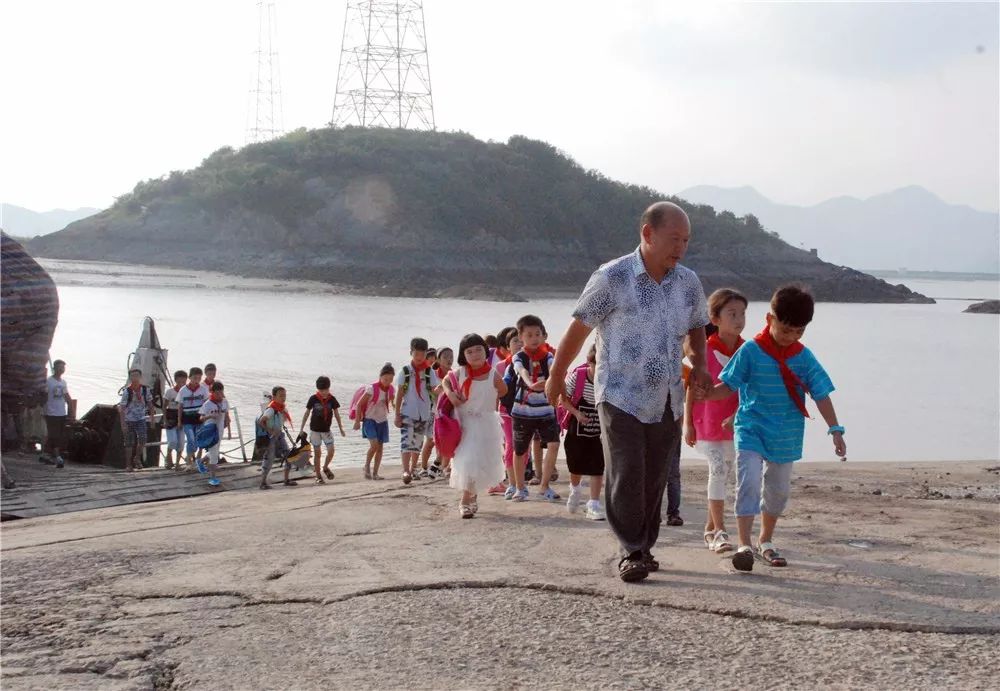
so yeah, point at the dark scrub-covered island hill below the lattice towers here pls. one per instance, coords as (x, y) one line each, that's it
(398, 212)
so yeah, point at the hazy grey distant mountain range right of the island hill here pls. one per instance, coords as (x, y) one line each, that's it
(908, 228)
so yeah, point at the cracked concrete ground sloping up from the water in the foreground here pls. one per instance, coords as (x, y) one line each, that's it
(371, 585)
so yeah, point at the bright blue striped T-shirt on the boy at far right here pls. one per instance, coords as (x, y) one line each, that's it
(767, 420)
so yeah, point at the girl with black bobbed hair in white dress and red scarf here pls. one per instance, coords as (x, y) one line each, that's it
(473, 390)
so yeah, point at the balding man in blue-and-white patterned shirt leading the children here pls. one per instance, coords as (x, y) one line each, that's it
(642, 306)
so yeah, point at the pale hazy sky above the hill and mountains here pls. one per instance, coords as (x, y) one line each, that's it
(802, 101)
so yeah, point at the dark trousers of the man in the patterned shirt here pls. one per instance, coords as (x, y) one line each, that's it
(637, 458)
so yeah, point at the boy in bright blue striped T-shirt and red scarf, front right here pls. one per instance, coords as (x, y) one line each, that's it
(772, 374)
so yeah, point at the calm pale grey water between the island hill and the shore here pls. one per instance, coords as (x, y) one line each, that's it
(914, 382)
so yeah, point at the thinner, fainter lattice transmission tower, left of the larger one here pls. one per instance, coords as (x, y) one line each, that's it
(264, 116)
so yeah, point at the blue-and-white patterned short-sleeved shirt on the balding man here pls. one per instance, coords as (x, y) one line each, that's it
(641, 327)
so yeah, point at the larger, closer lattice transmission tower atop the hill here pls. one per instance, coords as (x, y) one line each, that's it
(384, 76)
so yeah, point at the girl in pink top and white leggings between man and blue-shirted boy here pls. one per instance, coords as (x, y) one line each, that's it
(708, 425)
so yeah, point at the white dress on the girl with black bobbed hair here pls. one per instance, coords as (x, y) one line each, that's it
(477, 465)
